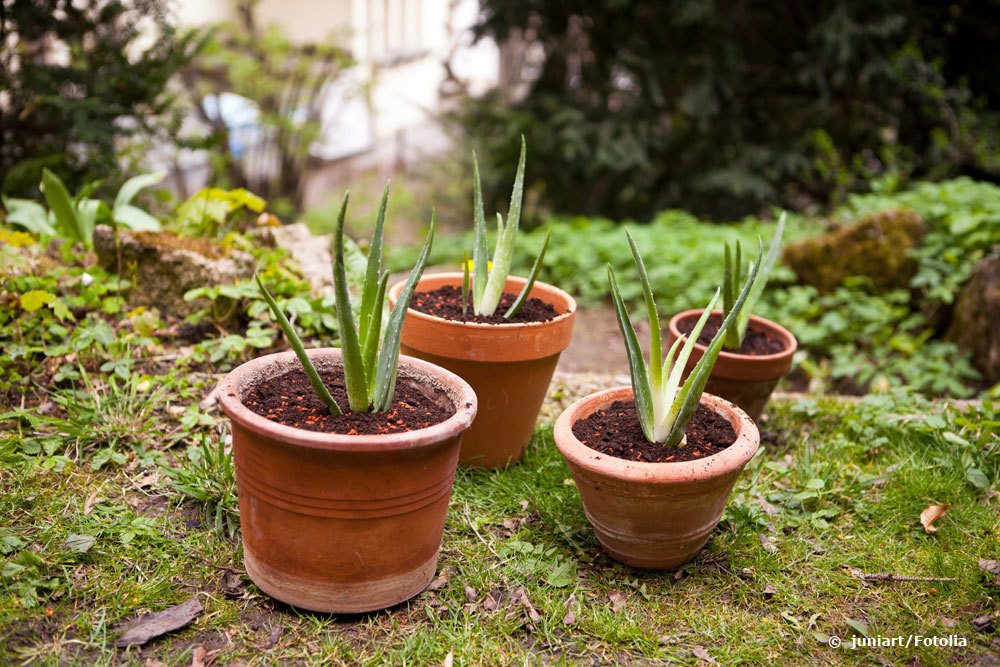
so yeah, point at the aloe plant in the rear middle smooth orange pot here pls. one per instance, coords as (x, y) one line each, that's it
(488, 278)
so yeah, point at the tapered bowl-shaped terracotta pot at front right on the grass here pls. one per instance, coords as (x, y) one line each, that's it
(653, 515)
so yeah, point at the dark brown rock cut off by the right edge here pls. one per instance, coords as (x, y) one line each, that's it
(976, 318)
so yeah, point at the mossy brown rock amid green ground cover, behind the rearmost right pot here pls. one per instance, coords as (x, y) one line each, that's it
(876, 246)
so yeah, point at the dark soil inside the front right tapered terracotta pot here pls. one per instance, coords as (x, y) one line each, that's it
(615, 431)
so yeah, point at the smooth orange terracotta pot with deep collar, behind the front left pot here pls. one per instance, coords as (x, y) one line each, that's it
(508, 365)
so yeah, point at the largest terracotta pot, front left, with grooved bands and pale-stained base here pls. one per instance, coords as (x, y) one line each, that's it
(342, 523)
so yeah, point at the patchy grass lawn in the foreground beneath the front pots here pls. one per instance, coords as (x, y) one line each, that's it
(836, 491)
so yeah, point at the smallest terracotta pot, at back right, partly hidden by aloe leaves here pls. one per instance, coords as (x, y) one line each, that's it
(746, 380)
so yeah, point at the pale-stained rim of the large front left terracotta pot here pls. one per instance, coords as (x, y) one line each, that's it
(459, 392)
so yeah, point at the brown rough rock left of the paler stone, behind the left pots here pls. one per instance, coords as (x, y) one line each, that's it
(164, 266)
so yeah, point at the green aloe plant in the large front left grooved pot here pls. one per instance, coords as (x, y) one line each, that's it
(369, 367)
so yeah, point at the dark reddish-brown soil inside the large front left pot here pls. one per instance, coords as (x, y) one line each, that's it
(289, 399)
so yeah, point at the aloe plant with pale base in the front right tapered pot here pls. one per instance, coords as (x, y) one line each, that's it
(666, 405)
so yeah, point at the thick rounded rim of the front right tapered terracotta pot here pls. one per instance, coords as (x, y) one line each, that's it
(729, 460)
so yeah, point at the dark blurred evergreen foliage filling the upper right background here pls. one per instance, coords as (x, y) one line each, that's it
(634, 106)
